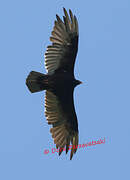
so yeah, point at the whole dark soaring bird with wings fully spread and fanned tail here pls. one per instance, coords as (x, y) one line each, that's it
(59, 82)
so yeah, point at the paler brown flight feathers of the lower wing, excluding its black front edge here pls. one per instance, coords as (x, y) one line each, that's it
(61, 131)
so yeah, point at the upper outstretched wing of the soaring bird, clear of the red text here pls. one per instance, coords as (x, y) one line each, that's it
(60, 56)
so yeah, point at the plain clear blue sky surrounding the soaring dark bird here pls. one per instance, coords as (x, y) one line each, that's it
(102, 102)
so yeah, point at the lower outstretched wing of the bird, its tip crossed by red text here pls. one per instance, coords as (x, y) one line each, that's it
(60, 113)
